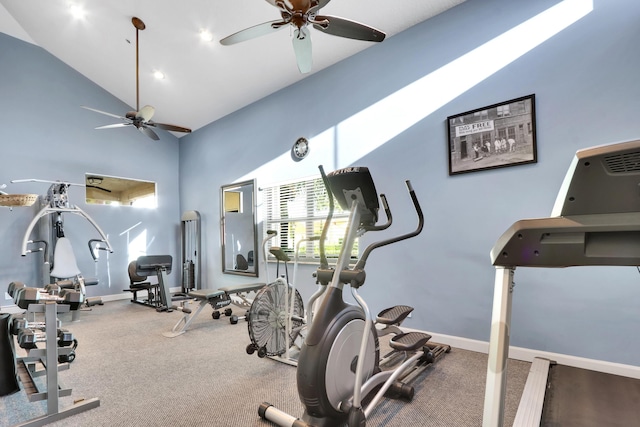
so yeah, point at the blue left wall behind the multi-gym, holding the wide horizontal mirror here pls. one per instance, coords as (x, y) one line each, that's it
(46, 135)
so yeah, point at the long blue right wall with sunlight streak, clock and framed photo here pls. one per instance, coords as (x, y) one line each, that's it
(585, 82)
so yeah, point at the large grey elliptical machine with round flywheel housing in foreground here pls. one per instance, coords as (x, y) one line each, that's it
(339, 364)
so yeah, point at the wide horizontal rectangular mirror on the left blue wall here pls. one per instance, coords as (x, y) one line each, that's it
(109, 190)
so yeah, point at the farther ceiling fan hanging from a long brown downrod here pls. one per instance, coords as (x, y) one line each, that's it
(141, 118)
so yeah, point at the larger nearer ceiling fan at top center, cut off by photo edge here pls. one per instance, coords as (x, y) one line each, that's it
(301, 13)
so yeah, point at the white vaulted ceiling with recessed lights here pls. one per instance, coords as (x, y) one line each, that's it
(204, 80)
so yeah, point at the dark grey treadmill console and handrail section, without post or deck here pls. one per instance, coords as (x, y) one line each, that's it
(595, 219)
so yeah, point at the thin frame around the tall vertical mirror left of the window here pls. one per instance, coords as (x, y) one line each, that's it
(245, 185)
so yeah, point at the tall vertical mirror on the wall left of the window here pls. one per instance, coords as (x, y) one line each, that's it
(239, 230)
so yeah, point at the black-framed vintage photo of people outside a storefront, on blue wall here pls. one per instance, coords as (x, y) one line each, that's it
(495, 136)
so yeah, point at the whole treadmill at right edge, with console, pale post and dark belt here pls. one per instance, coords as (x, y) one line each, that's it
(595, 221)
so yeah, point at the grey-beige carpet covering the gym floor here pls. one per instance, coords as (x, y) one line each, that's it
(205, 377)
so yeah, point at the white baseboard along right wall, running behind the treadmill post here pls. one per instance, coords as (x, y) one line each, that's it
(527, 355)
